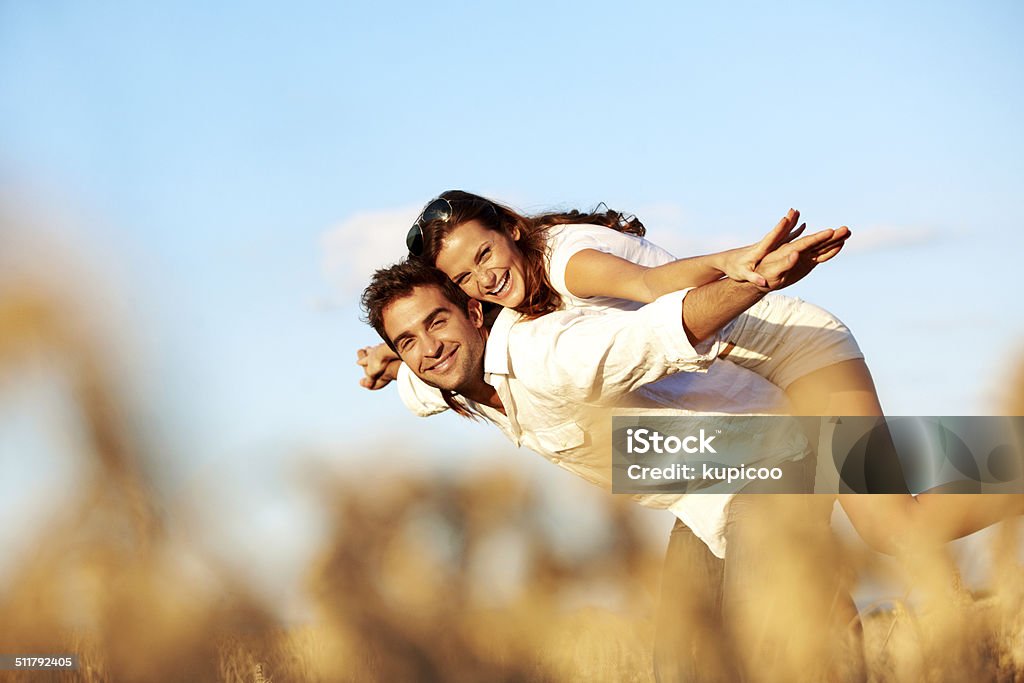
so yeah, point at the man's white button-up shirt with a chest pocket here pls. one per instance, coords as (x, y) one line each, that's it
(562, 376)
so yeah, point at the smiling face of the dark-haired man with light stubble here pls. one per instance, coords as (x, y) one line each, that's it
(441, 344)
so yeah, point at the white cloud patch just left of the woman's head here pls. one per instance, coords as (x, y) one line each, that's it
(363, 243)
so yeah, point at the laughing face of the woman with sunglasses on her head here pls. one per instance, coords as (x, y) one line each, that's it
(487, 265)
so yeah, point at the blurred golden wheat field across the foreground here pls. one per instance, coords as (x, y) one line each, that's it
(405, 591)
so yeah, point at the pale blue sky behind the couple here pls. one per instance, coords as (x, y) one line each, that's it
(237, 169)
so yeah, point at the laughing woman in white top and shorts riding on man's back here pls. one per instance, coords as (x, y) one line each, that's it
(600, 261)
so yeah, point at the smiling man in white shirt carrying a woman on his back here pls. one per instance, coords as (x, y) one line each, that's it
(545, 381)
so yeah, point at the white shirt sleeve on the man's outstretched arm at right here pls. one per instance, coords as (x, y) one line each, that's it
(598, 358)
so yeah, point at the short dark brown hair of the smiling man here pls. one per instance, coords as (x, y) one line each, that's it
(398, 282)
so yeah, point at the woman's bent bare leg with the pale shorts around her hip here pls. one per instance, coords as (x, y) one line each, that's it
(808, 353)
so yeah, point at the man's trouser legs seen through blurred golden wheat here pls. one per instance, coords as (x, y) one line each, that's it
(774, 610)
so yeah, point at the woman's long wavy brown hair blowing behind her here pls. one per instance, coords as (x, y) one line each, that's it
(541, 296)
